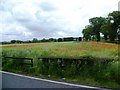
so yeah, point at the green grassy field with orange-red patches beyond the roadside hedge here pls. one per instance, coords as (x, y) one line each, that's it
(62, 49)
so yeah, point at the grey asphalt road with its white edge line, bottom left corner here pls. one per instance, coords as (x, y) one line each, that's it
(12, 80)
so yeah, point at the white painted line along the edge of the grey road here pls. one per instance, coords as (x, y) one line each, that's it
(57, 82)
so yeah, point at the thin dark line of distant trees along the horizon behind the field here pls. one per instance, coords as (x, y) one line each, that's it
(35, 40)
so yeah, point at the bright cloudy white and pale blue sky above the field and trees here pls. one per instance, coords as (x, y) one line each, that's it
(28, 19)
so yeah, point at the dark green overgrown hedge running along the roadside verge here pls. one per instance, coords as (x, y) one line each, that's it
(100, 71)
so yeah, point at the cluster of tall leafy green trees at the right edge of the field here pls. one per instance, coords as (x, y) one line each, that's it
(108, 27)
